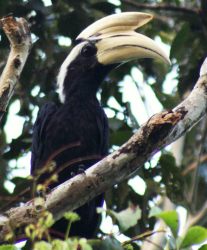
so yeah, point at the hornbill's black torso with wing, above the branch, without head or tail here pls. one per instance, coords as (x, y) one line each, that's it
(79, 129)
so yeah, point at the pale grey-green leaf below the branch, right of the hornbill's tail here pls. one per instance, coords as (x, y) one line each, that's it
(127, 218)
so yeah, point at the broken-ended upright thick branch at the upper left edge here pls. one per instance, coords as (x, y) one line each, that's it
(20, 41)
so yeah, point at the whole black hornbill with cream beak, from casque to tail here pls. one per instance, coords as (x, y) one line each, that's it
(76, 133)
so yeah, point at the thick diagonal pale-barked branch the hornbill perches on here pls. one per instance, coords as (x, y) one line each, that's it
(159, 131)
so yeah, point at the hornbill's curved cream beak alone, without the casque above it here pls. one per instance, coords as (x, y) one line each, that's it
(125, 47)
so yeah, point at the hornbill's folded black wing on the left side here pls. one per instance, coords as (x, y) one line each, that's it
(43, 118)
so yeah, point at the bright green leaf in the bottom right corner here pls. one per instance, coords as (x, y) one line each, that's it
(195, 235)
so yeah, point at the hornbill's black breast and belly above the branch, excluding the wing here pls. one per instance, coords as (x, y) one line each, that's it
(76, 135)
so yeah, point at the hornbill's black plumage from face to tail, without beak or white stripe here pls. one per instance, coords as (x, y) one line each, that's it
(76, 129)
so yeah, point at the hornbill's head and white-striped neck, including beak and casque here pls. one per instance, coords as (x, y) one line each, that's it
(102, 46)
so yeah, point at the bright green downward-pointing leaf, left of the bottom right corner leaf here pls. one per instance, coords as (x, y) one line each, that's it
(171, 220)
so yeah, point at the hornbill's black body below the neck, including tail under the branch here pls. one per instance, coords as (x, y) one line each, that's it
(79, 131)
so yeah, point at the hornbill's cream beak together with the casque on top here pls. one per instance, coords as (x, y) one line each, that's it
(117, 42)
